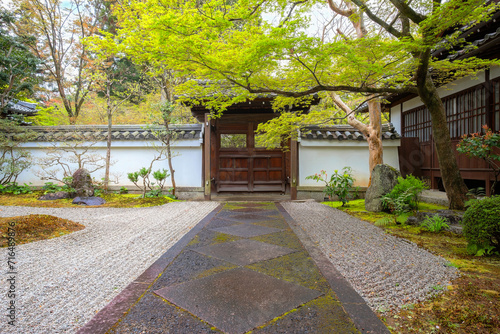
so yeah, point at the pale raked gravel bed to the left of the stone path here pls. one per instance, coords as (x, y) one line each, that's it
(62, 282)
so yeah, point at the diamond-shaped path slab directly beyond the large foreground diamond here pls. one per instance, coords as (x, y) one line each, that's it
(244, 252)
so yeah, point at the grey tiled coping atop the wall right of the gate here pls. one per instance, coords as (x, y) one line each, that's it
(345, 132)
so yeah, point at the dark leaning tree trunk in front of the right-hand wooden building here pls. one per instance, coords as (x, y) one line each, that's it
(454, 185)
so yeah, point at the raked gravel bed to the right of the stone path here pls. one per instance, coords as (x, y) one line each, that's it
(385, 270)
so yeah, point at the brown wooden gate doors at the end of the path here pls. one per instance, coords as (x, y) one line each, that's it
(241, 166)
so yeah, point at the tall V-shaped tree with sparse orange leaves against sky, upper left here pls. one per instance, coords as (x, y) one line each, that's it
(60, 28)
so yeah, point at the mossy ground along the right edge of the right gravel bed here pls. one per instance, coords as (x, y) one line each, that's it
(470, 305)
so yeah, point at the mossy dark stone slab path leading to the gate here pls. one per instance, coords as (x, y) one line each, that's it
(244, 267)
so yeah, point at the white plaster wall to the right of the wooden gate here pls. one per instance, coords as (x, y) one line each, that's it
(329, 155)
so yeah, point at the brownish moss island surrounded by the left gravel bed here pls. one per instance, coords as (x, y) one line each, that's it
(35, 228)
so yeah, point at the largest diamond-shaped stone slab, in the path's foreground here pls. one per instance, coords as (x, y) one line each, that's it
(238, 300)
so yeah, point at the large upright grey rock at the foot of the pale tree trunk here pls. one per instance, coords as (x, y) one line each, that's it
(384, 178)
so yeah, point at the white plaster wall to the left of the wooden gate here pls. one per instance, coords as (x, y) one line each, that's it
(130, 156)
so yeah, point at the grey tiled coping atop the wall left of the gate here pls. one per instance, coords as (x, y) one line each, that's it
(118, 132)
